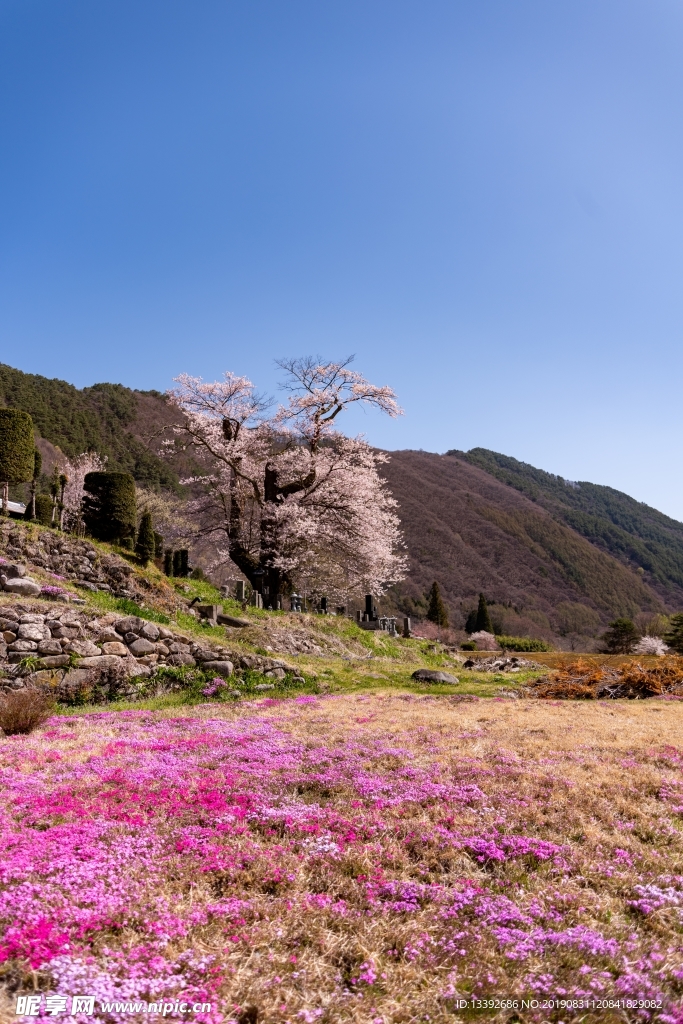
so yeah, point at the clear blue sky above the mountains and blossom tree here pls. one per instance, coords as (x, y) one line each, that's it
(483, 200)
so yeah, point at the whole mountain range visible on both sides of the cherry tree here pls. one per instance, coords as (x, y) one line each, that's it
(551, 556)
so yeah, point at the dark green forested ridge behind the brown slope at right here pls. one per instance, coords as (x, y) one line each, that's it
(635, 534)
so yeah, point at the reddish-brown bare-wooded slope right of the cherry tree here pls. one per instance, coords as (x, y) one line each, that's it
(473, 532)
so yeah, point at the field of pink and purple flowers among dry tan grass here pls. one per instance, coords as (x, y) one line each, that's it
(371, 859)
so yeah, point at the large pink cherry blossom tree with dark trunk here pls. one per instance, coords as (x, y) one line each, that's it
(300, 504)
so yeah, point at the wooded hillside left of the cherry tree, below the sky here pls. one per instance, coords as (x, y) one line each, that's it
(106, 418)
